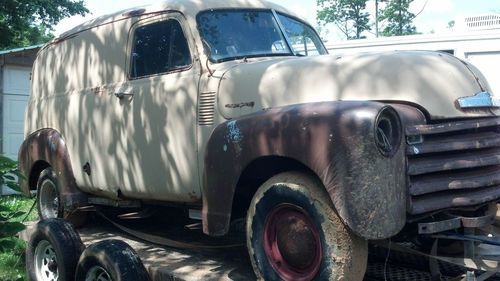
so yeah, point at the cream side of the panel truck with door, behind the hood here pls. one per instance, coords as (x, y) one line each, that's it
(144, 146)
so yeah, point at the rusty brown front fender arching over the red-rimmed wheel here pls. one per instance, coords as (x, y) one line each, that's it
(335, 140)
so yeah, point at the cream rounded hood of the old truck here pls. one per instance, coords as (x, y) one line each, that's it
(433, 81)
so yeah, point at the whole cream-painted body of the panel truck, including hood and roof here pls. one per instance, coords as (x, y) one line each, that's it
(151, 147)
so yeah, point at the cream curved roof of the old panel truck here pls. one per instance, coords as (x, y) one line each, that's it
(190, 8)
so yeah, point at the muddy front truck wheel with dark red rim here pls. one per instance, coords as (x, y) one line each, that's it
(293, 233)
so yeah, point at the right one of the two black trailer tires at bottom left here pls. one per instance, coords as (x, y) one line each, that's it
(112, 260)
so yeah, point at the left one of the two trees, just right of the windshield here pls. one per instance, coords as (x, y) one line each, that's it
(348, 15)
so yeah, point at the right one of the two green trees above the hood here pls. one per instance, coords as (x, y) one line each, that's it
(398, 17)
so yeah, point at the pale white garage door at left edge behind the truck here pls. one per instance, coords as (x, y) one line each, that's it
(16, 91)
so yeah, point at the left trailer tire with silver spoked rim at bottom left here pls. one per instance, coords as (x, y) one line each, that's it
(53, 251)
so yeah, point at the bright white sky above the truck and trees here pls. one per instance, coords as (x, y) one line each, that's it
(434, 17)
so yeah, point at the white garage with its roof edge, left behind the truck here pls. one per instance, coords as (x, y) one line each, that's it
(15, 72)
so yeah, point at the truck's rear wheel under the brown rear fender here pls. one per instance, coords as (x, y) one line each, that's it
(50, 204)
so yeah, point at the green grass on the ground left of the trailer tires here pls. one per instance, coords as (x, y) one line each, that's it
(12, 265)
